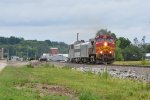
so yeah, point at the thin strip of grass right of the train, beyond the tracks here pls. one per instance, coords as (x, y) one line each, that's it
(141, 63)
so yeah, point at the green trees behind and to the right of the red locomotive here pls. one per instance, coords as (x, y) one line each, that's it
(125, 49)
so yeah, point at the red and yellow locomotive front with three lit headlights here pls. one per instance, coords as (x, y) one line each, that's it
(105, 48)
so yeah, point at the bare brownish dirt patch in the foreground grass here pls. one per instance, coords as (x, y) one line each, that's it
(50, 90)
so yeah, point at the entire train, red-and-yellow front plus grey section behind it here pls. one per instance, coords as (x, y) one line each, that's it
(98, 50)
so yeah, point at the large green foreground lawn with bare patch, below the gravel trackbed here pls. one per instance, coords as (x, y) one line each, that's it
(27, 83)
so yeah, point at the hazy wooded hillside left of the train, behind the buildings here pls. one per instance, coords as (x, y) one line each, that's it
(14, 46)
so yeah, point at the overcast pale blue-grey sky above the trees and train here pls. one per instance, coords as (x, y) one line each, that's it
(60, 20)
